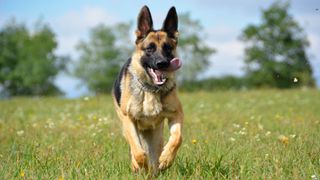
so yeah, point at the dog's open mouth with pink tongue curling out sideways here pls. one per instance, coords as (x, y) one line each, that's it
(159, 77)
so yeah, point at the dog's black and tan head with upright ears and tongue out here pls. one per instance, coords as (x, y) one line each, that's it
(157, 48)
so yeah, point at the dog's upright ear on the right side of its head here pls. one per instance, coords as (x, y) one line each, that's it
(170, 24)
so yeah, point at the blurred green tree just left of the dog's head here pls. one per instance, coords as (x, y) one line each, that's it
(102, 56)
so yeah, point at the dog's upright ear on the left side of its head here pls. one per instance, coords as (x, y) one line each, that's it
(145, 24)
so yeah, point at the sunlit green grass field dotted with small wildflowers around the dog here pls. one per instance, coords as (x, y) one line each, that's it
(228, 135)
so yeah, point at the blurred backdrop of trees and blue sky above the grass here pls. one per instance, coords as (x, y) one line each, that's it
(75, 48)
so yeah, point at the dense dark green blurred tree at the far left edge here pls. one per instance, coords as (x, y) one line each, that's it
(28, 64)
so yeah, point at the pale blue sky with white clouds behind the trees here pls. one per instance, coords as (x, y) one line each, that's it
(222, 21)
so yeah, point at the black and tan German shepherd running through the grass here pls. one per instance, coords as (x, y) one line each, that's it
(144, 94)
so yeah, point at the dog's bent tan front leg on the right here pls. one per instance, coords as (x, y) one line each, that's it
(170, 150)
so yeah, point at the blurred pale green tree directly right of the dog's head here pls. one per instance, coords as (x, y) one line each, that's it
(192, 48)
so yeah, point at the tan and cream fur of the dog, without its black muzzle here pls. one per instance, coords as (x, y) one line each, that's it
(143, 112)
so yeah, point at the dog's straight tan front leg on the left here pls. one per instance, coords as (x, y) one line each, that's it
(138, 155)
